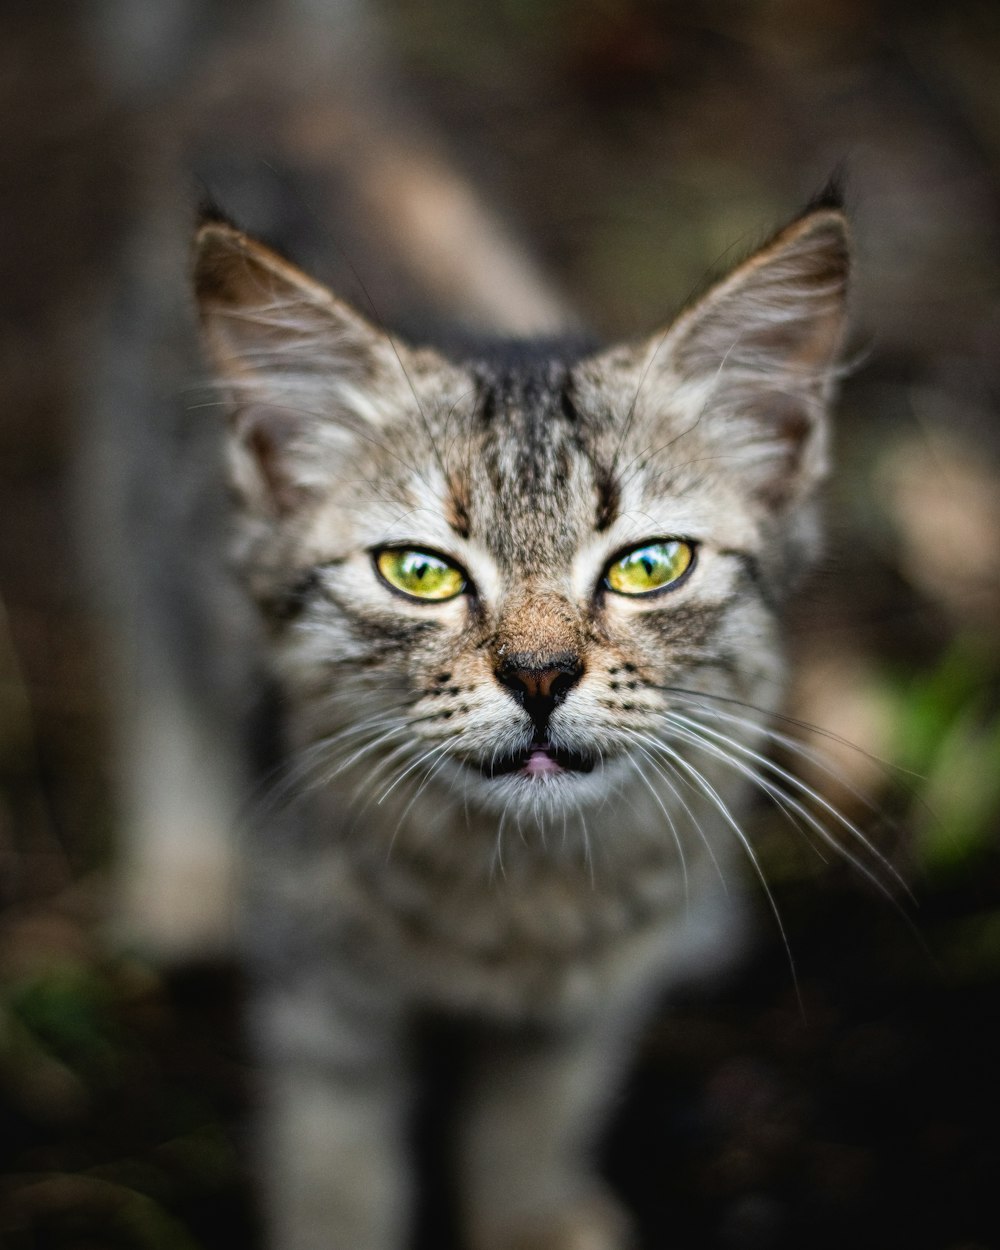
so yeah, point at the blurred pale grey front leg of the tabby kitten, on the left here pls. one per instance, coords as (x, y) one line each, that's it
(334, 1098)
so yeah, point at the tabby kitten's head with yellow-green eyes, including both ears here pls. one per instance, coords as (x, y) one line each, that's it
(511, 579)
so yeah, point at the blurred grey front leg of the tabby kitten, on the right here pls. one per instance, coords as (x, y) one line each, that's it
(529, 1131)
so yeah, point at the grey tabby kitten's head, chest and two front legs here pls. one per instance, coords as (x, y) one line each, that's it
(522, 614)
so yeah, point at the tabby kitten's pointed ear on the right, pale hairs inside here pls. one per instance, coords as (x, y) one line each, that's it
(751, 367)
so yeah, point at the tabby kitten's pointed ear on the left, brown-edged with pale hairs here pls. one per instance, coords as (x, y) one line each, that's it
(306, 377)
